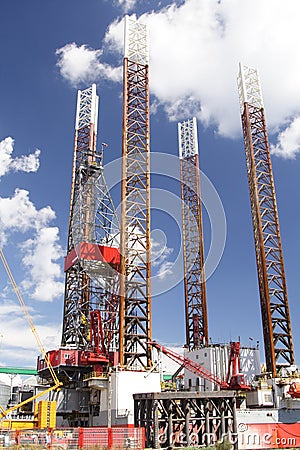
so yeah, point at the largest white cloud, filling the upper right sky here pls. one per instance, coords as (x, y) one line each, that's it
(195, 49)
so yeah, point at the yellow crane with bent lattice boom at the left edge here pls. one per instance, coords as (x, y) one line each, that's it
(57, 384)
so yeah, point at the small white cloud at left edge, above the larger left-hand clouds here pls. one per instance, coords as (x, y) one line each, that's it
(28, 163)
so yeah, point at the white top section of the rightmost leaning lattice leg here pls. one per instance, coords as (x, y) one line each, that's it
(249, 87)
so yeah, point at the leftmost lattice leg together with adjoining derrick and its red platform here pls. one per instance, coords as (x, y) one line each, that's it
(90, 319)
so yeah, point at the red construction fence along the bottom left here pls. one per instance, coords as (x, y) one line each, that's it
(74, 438)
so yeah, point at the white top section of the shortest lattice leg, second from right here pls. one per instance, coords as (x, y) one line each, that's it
(188, 138)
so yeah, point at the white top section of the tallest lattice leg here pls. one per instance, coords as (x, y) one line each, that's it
(136, 41)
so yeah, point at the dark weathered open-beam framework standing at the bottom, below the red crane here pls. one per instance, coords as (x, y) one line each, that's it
(186, 418)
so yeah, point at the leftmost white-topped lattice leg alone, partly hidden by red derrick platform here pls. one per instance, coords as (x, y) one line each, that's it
(77, 284)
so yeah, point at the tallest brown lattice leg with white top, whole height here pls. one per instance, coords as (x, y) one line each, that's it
(135, 301)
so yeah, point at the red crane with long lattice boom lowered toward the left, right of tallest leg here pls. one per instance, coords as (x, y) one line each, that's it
(234, 379)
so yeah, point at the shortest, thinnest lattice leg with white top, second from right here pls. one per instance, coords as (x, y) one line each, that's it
(193, 247)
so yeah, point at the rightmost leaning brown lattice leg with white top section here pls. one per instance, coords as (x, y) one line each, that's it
(278, 342)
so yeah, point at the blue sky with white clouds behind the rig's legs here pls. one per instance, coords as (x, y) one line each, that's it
(50, 49)
